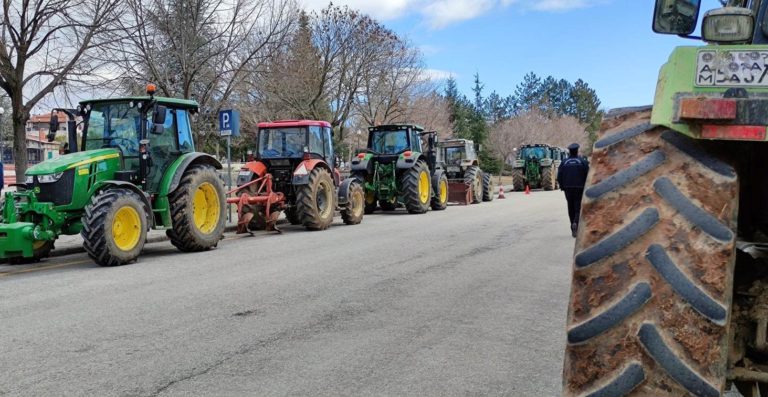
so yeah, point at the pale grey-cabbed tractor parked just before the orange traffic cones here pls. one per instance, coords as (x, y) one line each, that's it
(464, 174)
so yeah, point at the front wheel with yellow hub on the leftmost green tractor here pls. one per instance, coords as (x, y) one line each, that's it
(115, 227)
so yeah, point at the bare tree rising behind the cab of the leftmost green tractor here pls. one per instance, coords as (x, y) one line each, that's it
(201, 49)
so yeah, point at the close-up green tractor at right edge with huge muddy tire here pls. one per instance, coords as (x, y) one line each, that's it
(669, 292)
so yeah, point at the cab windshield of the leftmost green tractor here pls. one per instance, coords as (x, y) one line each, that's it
(113, 125)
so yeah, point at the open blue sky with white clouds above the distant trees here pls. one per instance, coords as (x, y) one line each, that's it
(607, 43)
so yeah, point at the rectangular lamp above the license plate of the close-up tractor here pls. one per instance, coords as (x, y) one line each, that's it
(728, 25)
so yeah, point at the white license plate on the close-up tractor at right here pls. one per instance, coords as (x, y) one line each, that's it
(732, 69)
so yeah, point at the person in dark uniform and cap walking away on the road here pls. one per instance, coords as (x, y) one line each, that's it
(571, 176)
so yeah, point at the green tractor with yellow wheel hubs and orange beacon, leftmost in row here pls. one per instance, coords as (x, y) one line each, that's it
(135, 169)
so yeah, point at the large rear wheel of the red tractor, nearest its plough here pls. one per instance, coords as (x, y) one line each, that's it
(316, 201)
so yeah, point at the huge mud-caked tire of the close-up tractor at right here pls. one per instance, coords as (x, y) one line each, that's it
(653, 271)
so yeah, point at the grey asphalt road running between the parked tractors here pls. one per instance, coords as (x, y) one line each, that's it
(469, 301)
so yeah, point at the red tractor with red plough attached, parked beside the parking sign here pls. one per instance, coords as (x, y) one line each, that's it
(293, 172)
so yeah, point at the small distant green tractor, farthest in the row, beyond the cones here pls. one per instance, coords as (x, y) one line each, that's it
(535, 167)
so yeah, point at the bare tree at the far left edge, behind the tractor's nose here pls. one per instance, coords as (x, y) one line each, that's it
(45, 44)
